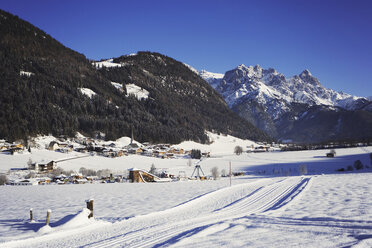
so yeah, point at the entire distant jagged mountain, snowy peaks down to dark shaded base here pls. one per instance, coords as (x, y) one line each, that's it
(297, 108)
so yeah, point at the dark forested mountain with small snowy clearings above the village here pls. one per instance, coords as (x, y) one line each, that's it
(49, 88)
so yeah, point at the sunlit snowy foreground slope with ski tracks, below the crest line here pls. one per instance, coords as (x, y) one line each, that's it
(320, 211)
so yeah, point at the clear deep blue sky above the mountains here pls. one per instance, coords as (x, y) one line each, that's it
(331, 38)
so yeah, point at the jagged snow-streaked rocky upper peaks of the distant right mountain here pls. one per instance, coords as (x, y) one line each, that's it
(255, 82)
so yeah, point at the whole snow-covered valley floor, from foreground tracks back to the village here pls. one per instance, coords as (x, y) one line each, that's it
(273, 206)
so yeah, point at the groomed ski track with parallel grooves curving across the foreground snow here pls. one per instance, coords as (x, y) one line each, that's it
(205, 214)
